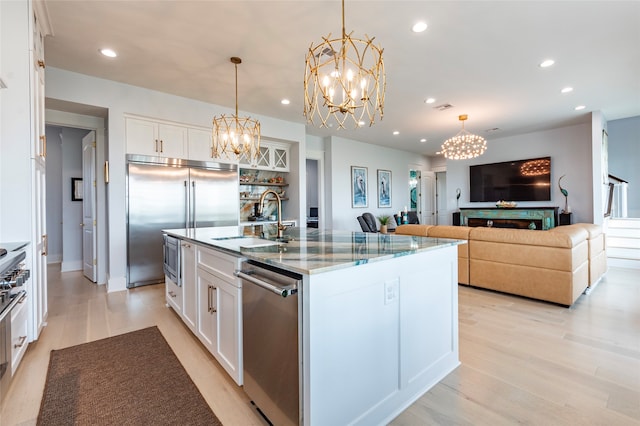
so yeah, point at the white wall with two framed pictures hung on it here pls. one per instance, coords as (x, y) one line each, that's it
(344, 153)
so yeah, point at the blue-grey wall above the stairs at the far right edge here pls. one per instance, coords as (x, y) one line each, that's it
(624, 157)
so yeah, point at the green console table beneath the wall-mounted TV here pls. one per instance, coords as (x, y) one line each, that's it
(541, 218)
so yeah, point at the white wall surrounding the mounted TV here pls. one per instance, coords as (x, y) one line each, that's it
(570, 149)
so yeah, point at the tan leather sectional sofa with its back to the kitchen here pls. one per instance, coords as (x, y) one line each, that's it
(557, 265)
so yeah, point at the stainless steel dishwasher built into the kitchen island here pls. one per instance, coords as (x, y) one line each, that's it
(270, 341)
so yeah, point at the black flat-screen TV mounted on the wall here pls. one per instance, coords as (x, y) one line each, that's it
(521, 180)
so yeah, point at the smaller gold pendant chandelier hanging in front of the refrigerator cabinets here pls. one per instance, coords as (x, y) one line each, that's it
(233, 135)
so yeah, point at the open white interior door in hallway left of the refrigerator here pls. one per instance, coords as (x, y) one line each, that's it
(89, 206)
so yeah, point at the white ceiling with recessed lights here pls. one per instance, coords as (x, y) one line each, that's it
(479, 56)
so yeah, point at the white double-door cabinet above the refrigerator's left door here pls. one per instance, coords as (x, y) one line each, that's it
(148, 137)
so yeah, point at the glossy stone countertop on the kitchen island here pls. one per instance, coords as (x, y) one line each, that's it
(311, 250)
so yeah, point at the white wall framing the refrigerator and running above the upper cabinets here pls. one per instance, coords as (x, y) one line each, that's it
(120, 99)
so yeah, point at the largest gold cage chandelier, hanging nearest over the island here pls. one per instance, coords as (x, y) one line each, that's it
(344, 82)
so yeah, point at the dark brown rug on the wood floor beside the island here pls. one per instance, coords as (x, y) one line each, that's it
(130, 379)
